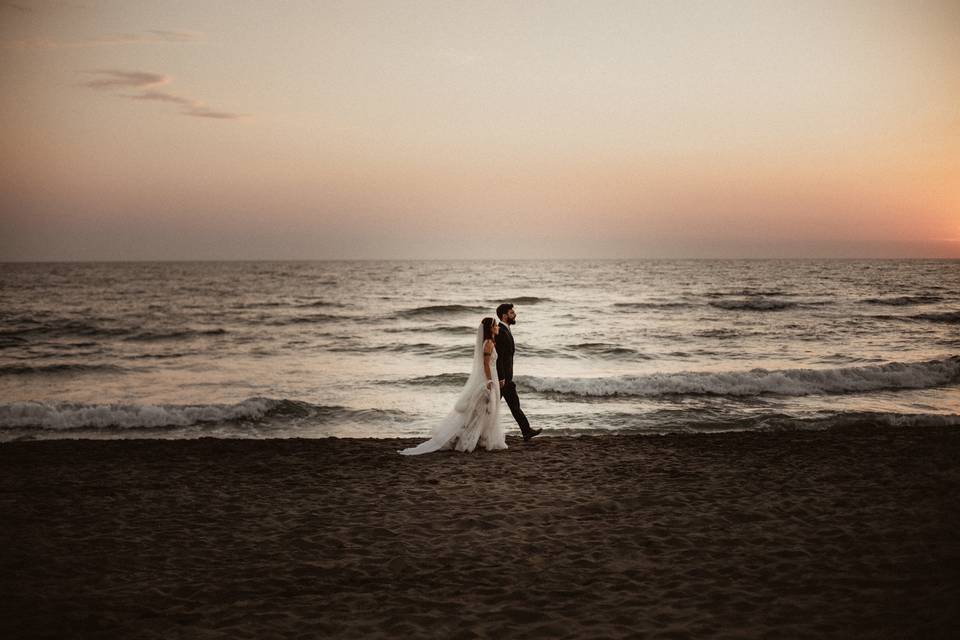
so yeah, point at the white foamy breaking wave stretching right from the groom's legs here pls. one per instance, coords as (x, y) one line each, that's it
(786, 382)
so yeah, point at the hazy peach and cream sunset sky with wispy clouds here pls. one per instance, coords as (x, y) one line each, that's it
(201, 130)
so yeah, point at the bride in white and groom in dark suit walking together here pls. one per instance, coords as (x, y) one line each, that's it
(473, 421)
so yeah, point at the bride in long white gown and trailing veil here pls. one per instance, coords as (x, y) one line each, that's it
(473, 421)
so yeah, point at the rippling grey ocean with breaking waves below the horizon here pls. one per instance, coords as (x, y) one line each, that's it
(380, 349)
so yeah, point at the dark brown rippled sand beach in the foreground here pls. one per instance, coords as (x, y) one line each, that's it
(844, 533)
